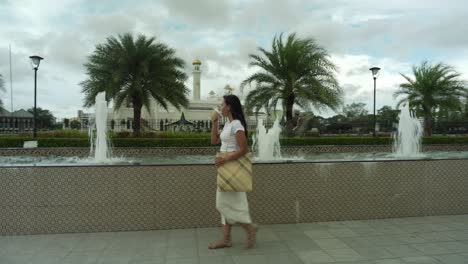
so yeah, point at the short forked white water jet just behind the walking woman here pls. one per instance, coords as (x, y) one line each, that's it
(266, 143)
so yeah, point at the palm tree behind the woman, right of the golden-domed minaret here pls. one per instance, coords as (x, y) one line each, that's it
(298, 71)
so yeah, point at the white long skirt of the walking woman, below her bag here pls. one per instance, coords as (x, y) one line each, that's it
(233, 207)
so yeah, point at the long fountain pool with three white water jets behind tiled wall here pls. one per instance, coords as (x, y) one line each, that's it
(266, 145)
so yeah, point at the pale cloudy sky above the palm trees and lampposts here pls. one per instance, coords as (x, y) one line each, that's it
(358, 34)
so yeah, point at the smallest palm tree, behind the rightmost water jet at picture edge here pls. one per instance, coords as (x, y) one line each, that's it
(433, 87)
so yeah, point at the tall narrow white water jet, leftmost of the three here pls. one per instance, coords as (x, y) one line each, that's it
(98, 139)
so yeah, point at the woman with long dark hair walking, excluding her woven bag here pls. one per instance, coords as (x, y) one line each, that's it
(233, 206)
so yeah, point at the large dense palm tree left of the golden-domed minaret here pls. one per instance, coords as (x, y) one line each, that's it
(133, 71)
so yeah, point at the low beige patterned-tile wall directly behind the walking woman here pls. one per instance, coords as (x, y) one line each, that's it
(40, 200)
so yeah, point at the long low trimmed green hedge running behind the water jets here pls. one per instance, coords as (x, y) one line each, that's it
(17, 142)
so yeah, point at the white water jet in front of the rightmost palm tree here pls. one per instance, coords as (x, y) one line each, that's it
(407, 140)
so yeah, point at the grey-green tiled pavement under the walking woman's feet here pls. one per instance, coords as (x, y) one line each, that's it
(434, 239)
